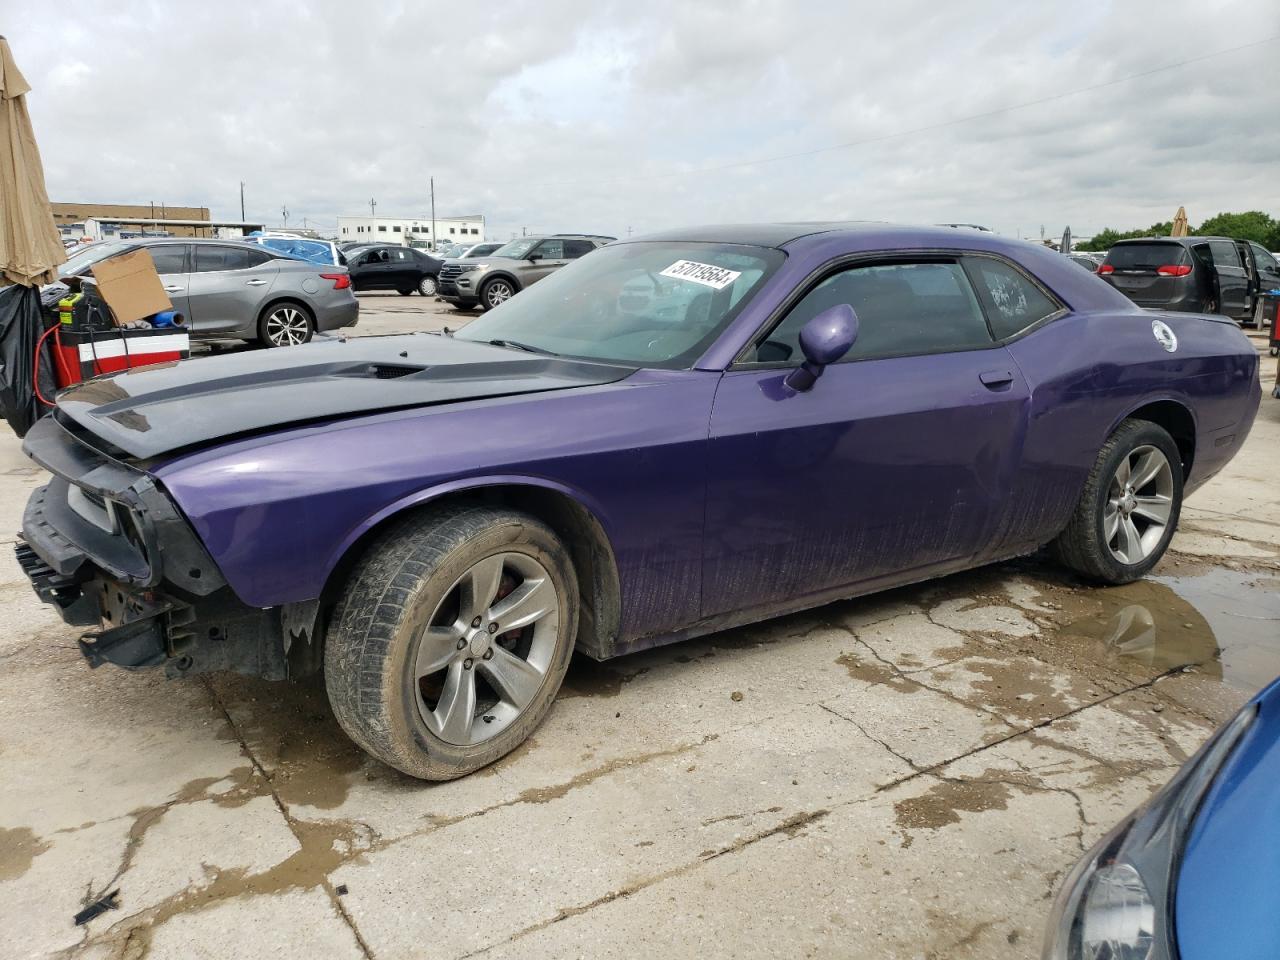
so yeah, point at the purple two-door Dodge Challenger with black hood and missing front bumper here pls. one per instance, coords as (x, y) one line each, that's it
(673, 436)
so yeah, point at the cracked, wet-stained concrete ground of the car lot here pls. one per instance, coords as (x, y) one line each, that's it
(907, 775)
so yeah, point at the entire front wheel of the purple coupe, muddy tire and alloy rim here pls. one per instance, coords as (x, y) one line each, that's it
(451, 639)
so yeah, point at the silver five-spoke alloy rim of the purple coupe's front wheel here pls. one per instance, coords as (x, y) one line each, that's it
(487, 648)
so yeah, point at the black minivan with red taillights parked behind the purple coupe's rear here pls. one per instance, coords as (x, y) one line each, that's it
(1195, 275)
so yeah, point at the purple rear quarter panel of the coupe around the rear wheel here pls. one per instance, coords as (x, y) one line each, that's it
(1087, 372)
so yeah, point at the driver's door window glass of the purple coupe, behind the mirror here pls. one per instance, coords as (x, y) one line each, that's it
(903, 310)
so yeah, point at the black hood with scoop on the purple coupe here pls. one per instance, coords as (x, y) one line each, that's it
(161, 409)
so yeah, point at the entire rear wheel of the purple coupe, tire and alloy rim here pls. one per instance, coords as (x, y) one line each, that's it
(1130, 508)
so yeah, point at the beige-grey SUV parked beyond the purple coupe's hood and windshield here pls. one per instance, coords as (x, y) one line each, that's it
(505, 273)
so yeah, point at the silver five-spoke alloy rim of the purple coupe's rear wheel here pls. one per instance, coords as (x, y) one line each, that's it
(1140, 505)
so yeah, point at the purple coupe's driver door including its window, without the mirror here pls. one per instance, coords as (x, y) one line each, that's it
(895, 464)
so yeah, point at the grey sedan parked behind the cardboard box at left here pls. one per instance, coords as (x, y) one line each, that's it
(231, 290)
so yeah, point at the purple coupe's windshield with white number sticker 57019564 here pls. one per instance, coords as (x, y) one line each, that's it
(650, 304)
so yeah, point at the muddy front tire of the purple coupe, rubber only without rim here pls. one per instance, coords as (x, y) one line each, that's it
(391, 596)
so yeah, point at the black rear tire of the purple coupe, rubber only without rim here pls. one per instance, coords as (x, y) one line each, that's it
(1084, 546)
